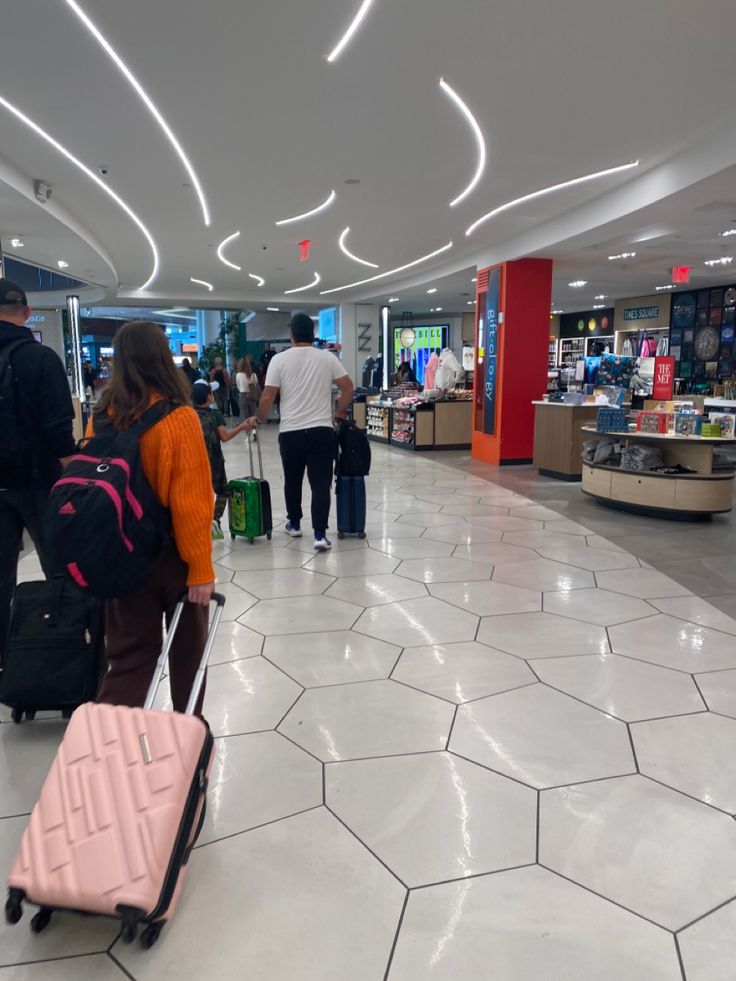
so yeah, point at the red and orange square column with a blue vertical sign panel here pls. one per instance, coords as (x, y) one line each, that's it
(511, 347)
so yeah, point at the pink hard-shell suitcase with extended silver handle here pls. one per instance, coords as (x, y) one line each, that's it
(119, 812)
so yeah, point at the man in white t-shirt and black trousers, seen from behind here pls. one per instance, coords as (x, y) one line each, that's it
(303, 376)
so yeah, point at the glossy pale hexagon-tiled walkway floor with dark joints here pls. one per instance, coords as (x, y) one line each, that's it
(487, 743)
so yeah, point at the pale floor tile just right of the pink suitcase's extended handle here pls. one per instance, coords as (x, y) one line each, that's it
(243, 696)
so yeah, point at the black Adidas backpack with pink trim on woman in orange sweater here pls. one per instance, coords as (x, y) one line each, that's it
(105, 527)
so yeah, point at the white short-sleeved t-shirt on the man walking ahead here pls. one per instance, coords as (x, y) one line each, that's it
(304, 376)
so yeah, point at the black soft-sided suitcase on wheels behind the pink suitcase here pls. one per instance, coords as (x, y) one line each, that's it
(54, 656)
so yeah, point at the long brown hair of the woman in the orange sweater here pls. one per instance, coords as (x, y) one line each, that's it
(142, 367)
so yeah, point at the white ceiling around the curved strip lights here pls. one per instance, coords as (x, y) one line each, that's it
(559, 89)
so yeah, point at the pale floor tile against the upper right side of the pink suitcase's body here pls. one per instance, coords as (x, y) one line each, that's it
(287, 780)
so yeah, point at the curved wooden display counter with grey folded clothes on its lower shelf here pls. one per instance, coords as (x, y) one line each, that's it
(684, 496)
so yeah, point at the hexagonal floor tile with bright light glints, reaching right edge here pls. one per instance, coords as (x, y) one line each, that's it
(674, 644)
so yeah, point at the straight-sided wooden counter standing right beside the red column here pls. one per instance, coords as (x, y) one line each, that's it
(558, 439)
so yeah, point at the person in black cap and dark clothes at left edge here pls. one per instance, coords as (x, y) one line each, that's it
(36, 416)
